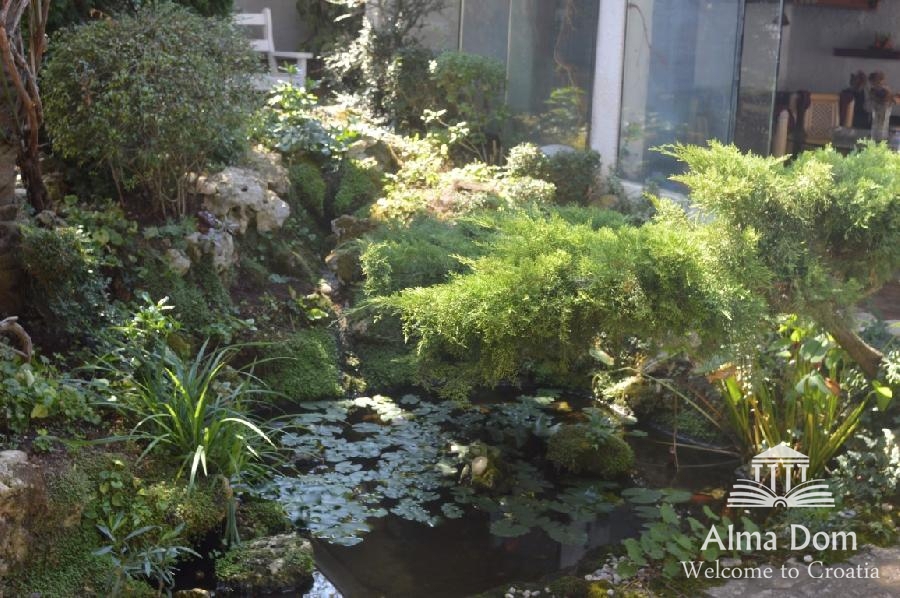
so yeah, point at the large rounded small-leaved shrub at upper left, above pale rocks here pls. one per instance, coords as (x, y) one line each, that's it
(149, 96)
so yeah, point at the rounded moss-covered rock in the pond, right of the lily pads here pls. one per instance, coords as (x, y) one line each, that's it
(576, 450)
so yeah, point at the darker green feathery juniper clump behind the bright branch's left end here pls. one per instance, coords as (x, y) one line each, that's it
(423, 253)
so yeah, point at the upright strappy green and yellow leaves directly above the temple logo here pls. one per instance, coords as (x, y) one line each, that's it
(801, 389)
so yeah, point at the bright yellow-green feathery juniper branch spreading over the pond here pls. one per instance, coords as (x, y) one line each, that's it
(546, 291)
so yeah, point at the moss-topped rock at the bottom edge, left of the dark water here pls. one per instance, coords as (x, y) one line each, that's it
(277, 565)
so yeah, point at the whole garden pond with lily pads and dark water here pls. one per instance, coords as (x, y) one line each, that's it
(394, 509)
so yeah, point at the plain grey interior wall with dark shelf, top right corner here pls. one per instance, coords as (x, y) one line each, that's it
(814, 33)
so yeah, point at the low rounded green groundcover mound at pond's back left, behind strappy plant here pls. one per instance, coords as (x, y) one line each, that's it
(303, 366)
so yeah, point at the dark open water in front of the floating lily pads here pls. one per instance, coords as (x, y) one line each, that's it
(404, 559)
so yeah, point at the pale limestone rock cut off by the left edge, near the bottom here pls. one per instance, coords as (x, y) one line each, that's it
(22, 501)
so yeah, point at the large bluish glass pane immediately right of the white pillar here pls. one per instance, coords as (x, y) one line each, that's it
(678, 81)
